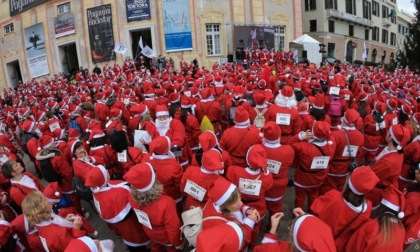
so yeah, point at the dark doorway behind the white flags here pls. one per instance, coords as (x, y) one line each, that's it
(146, 36)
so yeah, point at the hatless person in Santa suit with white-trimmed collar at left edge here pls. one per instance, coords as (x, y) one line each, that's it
(22, 183)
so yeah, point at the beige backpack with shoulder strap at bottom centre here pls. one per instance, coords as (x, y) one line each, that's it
(193, 221)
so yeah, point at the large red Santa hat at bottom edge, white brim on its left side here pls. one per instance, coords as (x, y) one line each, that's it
(312, 234)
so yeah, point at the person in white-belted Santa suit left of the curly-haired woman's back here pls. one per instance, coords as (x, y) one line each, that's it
(111, 200)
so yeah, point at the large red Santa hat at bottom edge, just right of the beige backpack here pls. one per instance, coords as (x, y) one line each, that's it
(225, 237)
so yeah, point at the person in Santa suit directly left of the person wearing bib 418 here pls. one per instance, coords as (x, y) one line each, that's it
(279, 159)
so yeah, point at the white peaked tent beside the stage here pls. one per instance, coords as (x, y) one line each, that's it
(310, 45)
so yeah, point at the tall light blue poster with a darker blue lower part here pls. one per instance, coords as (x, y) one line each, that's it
(177, 25)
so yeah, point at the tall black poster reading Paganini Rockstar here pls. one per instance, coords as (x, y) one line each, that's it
(101, 35)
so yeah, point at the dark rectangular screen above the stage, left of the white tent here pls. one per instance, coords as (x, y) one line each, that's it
(254, 37)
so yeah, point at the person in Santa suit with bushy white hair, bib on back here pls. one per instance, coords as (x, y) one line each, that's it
(284, 113)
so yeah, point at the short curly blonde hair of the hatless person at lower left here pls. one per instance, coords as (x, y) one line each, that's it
(35, 209)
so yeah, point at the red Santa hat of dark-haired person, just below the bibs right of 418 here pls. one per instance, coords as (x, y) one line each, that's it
(362, 180)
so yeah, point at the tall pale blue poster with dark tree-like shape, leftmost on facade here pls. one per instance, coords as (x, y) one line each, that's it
(35, 50)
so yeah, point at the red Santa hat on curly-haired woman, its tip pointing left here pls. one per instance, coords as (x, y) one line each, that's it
(141, 176)
